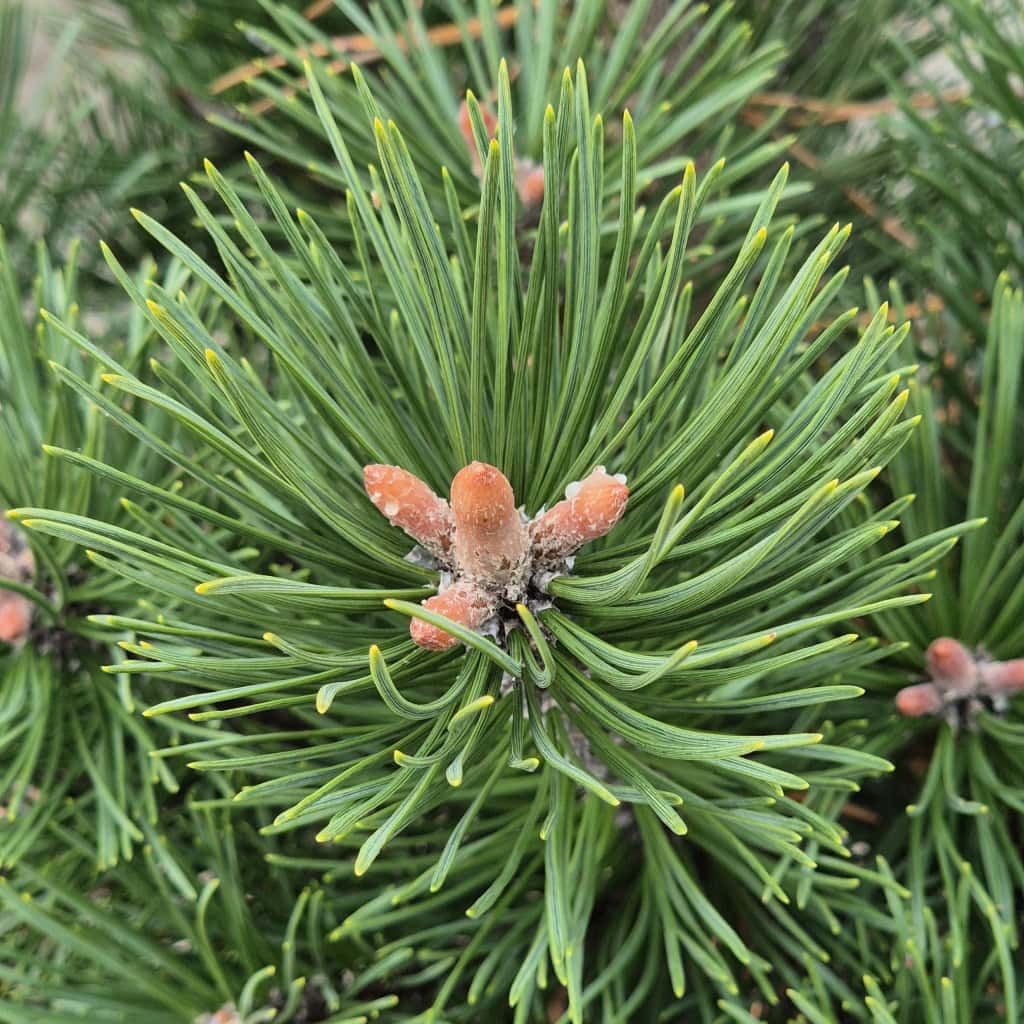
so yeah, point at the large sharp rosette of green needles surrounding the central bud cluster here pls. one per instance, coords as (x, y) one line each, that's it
(508, 735)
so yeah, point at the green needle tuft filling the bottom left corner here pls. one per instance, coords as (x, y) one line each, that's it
(154, 949)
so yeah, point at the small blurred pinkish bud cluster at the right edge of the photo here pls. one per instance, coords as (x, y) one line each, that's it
(960, 678)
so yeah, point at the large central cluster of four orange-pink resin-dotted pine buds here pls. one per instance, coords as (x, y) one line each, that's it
(492, 553)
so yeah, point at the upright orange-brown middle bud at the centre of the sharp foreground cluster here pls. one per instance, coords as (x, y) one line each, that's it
(490, 538)
